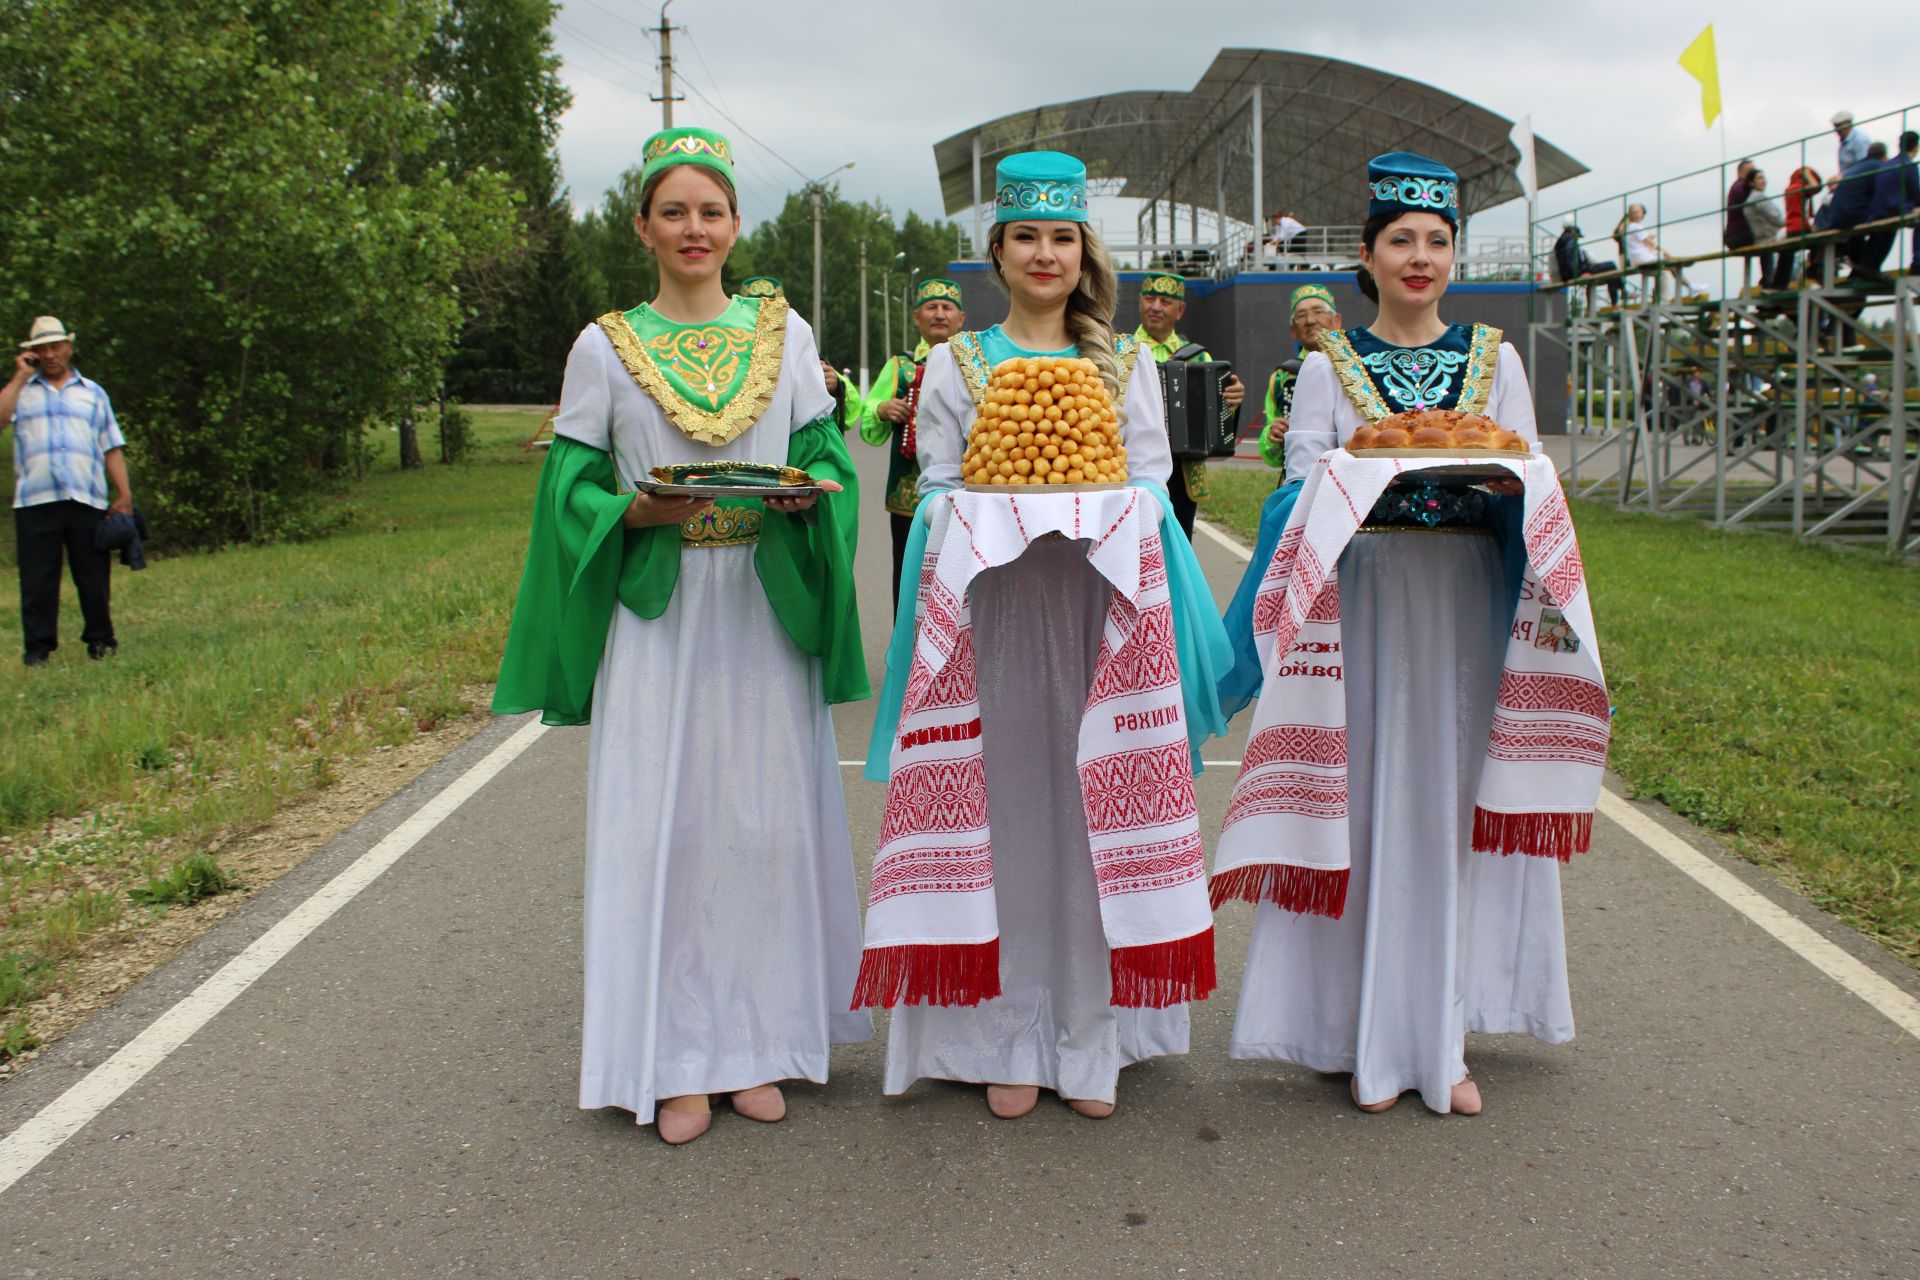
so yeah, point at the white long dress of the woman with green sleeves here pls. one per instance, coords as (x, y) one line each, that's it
(721, 913)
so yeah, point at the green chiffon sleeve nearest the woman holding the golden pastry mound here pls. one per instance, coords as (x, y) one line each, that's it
(805, 565)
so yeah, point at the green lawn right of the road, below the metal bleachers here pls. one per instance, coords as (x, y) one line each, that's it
(1767, 690)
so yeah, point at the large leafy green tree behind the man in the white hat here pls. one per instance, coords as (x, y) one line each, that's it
(239, 212)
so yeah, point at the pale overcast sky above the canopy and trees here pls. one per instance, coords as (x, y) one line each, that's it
(815, 85)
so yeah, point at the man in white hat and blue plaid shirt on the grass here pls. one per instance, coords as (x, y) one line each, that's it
(66, 450)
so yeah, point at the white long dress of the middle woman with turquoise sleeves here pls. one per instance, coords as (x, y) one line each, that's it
(1036, 636)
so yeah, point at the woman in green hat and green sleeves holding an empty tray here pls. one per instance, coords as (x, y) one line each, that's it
(706, 644)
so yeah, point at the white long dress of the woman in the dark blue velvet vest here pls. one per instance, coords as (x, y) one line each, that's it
(1437, 941)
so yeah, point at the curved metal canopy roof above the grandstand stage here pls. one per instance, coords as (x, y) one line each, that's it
(1322, 120)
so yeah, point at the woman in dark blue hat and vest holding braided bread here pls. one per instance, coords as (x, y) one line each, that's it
(1437, 941)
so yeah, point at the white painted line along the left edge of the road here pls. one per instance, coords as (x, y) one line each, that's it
(66, 1116)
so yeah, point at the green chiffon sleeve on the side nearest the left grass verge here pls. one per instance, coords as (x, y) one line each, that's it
(579, 561)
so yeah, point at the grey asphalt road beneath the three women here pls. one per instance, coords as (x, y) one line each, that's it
(396, 1099)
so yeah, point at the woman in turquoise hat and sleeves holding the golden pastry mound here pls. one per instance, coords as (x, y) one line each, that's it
(1038, 628)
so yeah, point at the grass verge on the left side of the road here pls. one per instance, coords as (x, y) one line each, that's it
(243, 680)
